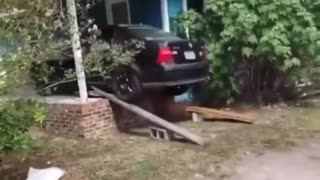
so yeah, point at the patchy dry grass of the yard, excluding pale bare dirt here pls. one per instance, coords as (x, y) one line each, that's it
(141, 158)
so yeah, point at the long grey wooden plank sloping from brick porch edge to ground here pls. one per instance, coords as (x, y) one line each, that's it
(153, 118)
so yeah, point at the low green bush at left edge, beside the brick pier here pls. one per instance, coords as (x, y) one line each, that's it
(16, 117)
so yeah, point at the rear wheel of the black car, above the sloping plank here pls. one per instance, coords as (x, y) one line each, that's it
(126, 85)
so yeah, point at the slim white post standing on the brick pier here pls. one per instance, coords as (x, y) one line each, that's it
(77, 51)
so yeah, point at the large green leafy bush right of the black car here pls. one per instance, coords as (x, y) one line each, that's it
(242, 31)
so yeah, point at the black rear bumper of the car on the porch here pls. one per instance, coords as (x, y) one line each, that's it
(179, 74)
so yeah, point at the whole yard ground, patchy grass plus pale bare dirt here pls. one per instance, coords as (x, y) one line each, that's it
(283, 140)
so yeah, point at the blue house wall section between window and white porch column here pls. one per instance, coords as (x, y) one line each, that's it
(146, 12)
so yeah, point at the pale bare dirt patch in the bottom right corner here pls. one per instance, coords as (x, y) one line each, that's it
(302, 162)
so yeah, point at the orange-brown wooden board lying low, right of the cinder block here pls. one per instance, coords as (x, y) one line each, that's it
(208, 113)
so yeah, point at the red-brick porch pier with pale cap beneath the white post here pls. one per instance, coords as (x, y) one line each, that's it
(67, 116)
